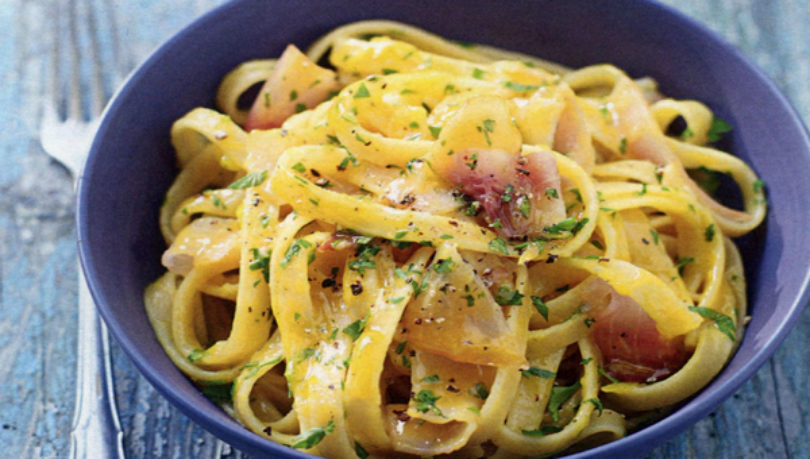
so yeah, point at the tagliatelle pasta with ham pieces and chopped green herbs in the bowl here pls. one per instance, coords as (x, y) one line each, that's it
(434, 248)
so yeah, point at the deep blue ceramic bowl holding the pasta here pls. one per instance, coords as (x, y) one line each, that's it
(132, 164)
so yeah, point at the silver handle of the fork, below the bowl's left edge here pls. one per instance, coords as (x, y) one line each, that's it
(96, 431)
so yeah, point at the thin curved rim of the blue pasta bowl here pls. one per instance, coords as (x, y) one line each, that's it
(647, 438)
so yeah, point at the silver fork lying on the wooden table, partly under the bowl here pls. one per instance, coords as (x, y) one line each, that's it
(70, 118)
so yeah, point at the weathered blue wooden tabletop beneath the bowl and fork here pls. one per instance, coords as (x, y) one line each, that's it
(768, 417)
